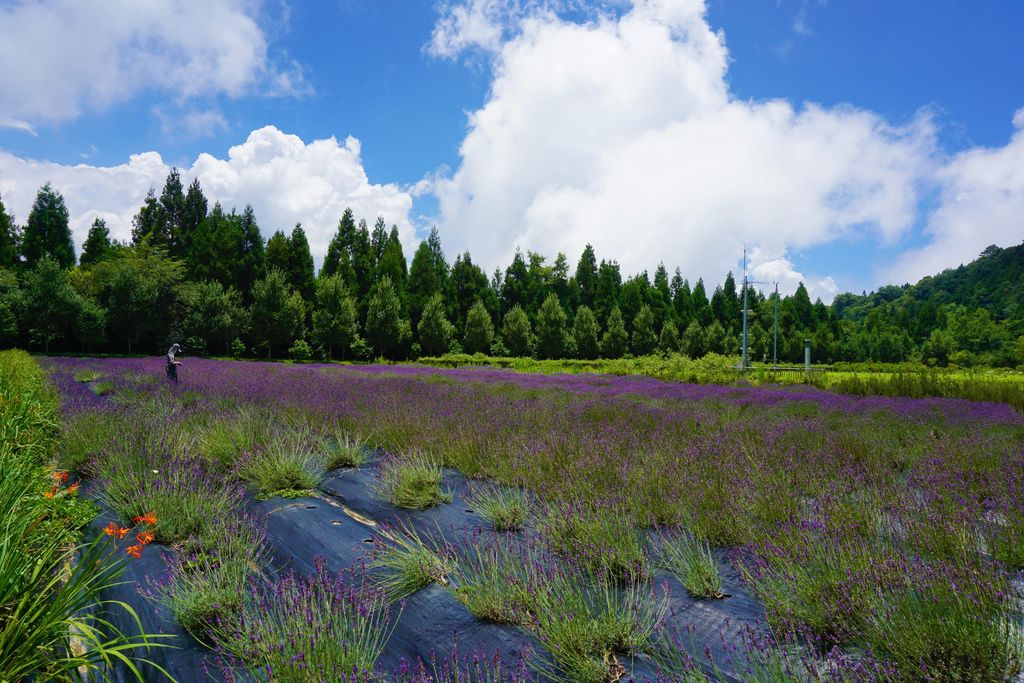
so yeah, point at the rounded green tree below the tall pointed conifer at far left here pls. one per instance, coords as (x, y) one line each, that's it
(51, 303)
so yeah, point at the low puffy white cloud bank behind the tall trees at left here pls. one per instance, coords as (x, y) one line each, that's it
(286, 181)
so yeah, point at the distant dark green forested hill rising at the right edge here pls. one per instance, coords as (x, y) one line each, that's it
(995, 282)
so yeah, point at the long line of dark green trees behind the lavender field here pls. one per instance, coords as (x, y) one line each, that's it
(205, 278)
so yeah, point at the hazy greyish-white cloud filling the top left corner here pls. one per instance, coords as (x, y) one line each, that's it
(64, 57)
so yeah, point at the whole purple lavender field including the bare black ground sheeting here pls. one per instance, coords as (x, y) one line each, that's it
(412, 524)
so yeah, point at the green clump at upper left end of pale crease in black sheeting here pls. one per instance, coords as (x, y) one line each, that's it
(290, 463)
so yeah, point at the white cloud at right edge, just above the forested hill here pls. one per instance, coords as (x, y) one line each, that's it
(982, 203)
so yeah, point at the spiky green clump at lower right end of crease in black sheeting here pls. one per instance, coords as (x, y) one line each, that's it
(405, 563)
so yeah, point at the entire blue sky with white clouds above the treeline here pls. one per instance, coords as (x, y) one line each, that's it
(847, 145)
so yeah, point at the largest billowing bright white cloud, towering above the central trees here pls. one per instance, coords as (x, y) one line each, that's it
(621, 133)
